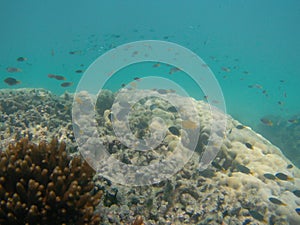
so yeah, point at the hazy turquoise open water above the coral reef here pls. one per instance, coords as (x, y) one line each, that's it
(244, 43)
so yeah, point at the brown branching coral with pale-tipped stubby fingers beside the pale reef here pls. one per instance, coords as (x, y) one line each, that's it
(39, 184)
